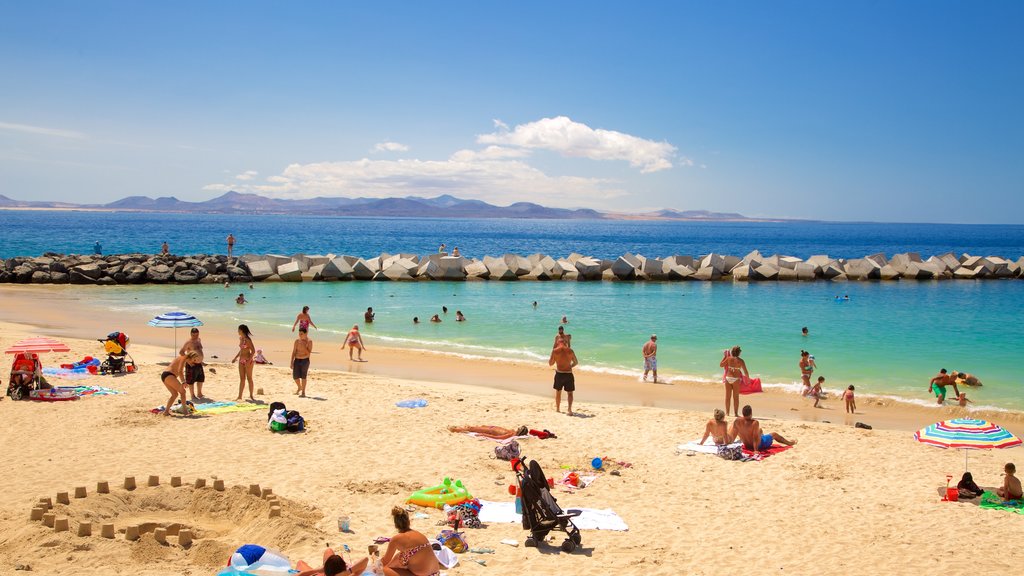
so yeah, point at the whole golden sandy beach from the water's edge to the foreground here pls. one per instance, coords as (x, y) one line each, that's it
(843, 501)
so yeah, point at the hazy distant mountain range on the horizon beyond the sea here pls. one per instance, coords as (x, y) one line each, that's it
(412, 207)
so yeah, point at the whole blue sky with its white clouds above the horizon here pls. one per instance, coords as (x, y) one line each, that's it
(874, 111)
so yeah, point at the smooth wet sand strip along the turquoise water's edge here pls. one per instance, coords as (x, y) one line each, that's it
(523, 377)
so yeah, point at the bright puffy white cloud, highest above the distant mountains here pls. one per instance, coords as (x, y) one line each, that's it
(576, 140)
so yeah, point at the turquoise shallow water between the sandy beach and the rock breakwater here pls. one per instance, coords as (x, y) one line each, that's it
(889, 339)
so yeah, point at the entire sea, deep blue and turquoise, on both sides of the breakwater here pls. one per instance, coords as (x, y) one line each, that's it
(889, 339)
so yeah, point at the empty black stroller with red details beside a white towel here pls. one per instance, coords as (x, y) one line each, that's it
(541, 513)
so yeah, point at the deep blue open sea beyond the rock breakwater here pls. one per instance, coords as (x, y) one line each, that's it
(32, 233)
